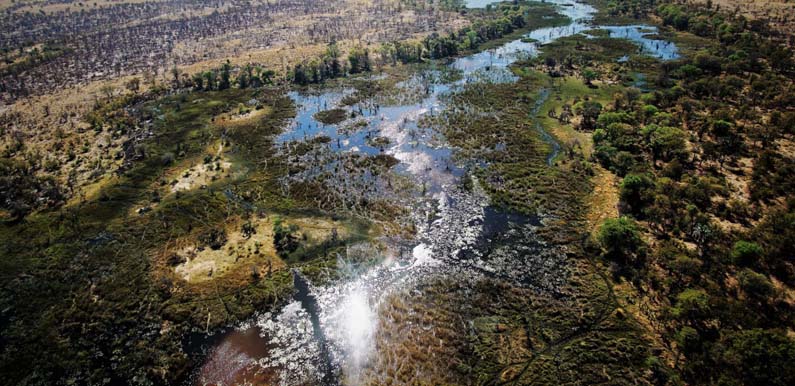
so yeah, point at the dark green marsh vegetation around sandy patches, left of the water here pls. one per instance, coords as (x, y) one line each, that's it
(88, 290)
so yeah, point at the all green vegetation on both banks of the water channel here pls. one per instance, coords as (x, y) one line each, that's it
(701, 253)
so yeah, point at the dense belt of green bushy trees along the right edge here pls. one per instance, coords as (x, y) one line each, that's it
(676, 149)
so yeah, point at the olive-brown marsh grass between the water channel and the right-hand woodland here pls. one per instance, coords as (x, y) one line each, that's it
(529, 337)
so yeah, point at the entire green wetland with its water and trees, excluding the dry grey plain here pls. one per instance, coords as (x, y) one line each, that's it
(556, 192)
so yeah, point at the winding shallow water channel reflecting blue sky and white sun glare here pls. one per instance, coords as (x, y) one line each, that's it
(326, 335)
